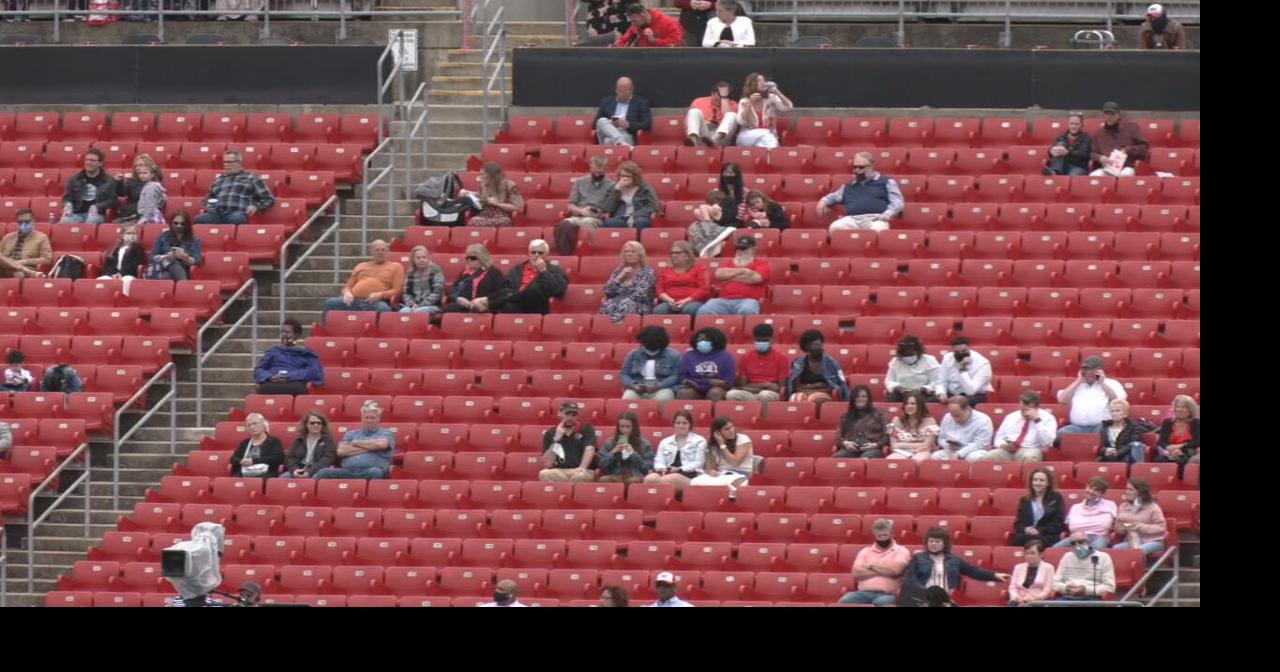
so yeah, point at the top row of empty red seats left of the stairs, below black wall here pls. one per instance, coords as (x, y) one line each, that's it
(180, 127)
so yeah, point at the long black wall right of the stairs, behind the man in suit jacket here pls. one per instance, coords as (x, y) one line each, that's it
(871, 77)
